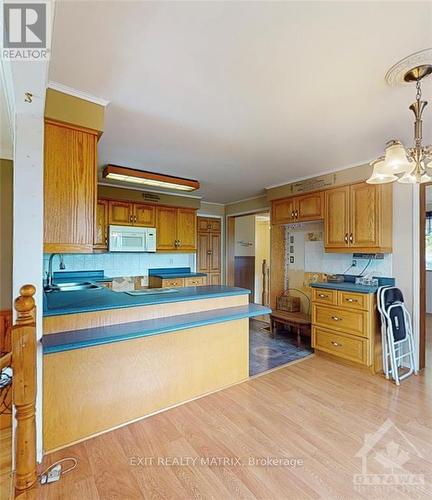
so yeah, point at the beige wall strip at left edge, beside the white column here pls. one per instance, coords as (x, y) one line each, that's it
(6, 184)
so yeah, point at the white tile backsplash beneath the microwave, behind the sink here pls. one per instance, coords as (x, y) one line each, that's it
(121, 264)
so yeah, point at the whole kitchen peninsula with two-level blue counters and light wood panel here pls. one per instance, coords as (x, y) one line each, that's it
(111, 358)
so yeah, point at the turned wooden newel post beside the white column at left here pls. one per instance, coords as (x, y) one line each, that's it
(24, 387)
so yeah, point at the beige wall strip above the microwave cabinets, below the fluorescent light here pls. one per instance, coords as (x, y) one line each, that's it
(143, 196)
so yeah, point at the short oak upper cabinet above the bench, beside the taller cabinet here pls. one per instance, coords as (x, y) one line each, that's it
(307, 207)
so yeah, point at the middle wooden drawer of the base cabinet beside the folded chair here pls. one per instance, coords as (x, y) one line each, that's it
(342, 320)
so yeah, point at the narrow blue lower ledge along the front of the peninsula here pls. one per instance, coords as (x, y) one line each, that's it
(80, 339)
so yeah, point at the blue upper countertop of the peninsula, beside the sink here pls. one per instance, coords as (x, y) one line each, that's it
(59, 303)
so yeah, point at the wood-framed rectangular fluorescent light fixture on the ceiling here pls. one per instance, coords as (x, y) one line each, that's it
(125, 174)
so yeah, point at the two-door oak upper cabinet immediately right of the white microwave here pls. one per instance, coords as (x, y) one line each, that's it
(176, 229)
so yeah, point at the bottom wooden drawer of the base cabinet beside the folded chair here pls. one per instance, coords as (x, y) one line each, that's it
(344, 346)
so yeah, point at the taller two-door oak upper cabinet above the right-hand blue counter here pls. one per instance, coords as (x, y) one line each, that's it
(359, 218)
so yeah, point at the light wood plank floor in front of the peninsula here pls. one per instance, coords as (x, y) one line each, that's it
(316, 411)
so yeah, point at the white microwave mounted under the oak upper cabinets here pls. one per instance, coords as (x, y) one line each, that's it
(132, 239)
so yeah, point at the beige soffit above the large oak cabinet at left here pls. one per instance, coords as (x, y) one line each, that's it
(69, 109)
